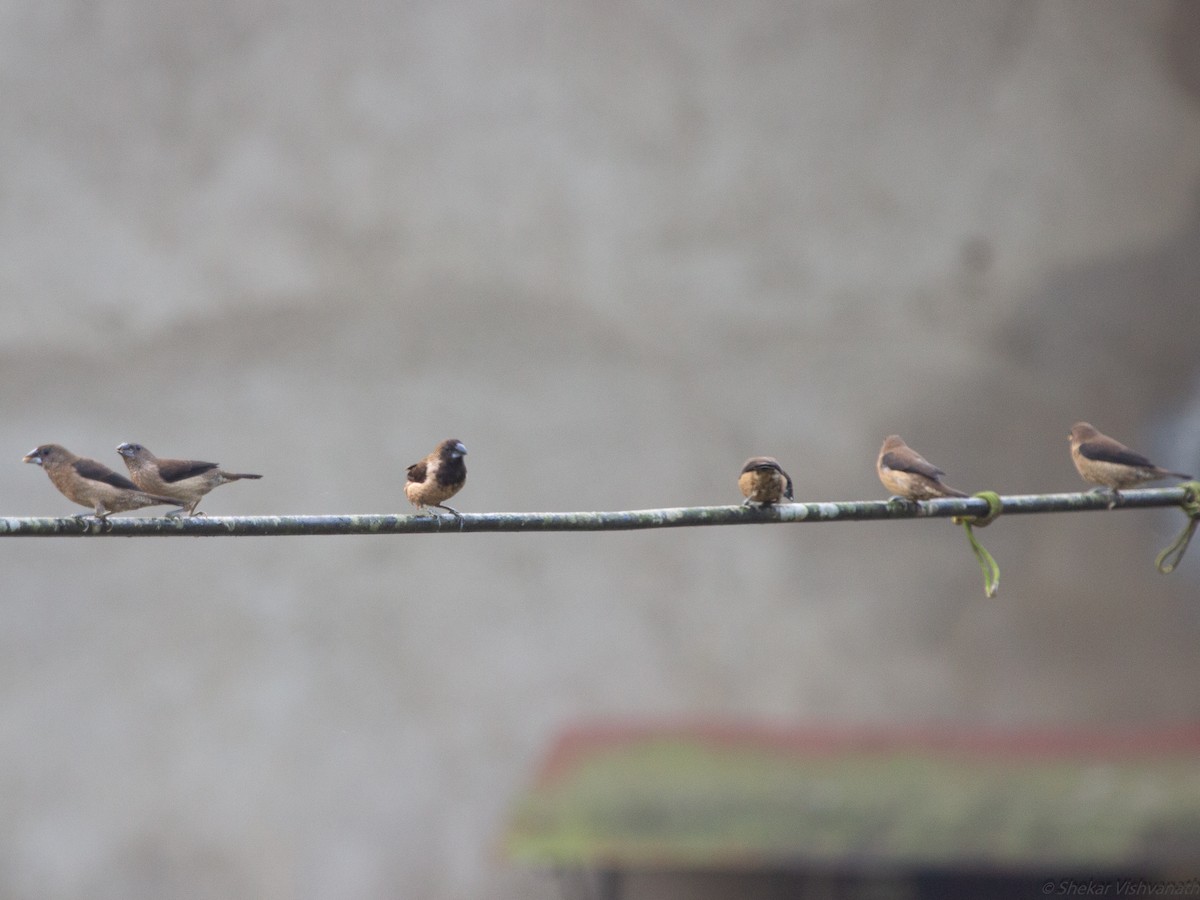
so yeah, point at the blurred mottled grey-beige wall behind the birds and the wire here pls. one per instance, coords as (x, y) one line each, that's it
(616, 249)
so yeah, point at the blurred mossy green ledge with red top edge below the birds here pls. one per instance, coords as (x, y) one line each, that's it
(915, 814)
